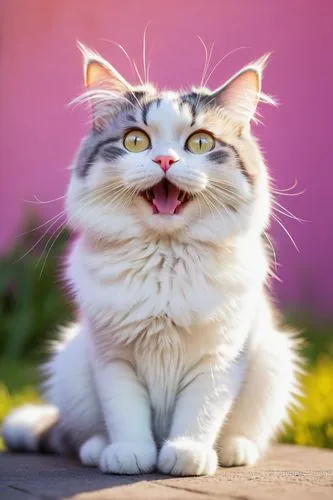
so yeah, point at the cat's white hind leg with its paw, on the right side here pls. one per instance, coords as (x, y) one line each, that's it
(263, 402)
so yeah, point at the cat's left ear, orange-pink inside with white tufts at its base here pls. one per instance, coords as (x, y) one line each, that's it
(103, 85)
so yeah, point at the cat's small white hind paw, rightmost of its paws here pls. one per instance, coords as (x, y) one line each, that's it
(238, 450)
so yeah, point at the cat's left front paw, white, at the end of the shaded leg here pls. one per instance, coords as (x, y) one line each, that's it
(128, 458)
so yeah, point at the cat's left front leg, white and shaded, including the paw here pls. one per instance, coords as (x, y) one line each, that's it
(127, 415)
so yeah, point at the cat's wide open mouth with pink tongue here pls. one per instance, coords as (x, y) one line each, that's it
(166, 198)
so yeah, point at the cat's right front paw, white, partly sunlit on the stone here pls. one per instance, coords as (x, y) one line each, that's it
(187, 457)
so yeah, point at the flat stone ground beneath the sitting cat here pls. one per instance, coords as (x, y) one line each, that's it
(287, 473)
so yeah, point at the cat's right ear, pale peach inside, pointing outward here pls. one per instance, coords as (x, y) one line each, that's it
(240, 95)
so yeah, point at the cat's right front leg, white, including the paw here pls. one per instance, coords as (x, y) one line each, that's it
(205, 397)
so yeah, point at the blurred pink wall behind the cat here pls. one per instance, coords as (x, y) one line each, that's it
(41, 72)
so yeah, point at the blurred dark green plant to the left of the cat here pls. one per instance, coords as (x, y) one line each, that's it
(31, 304)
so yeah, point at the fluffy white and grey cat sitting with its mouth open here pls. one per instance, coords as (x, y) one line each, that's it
(177, 362)
